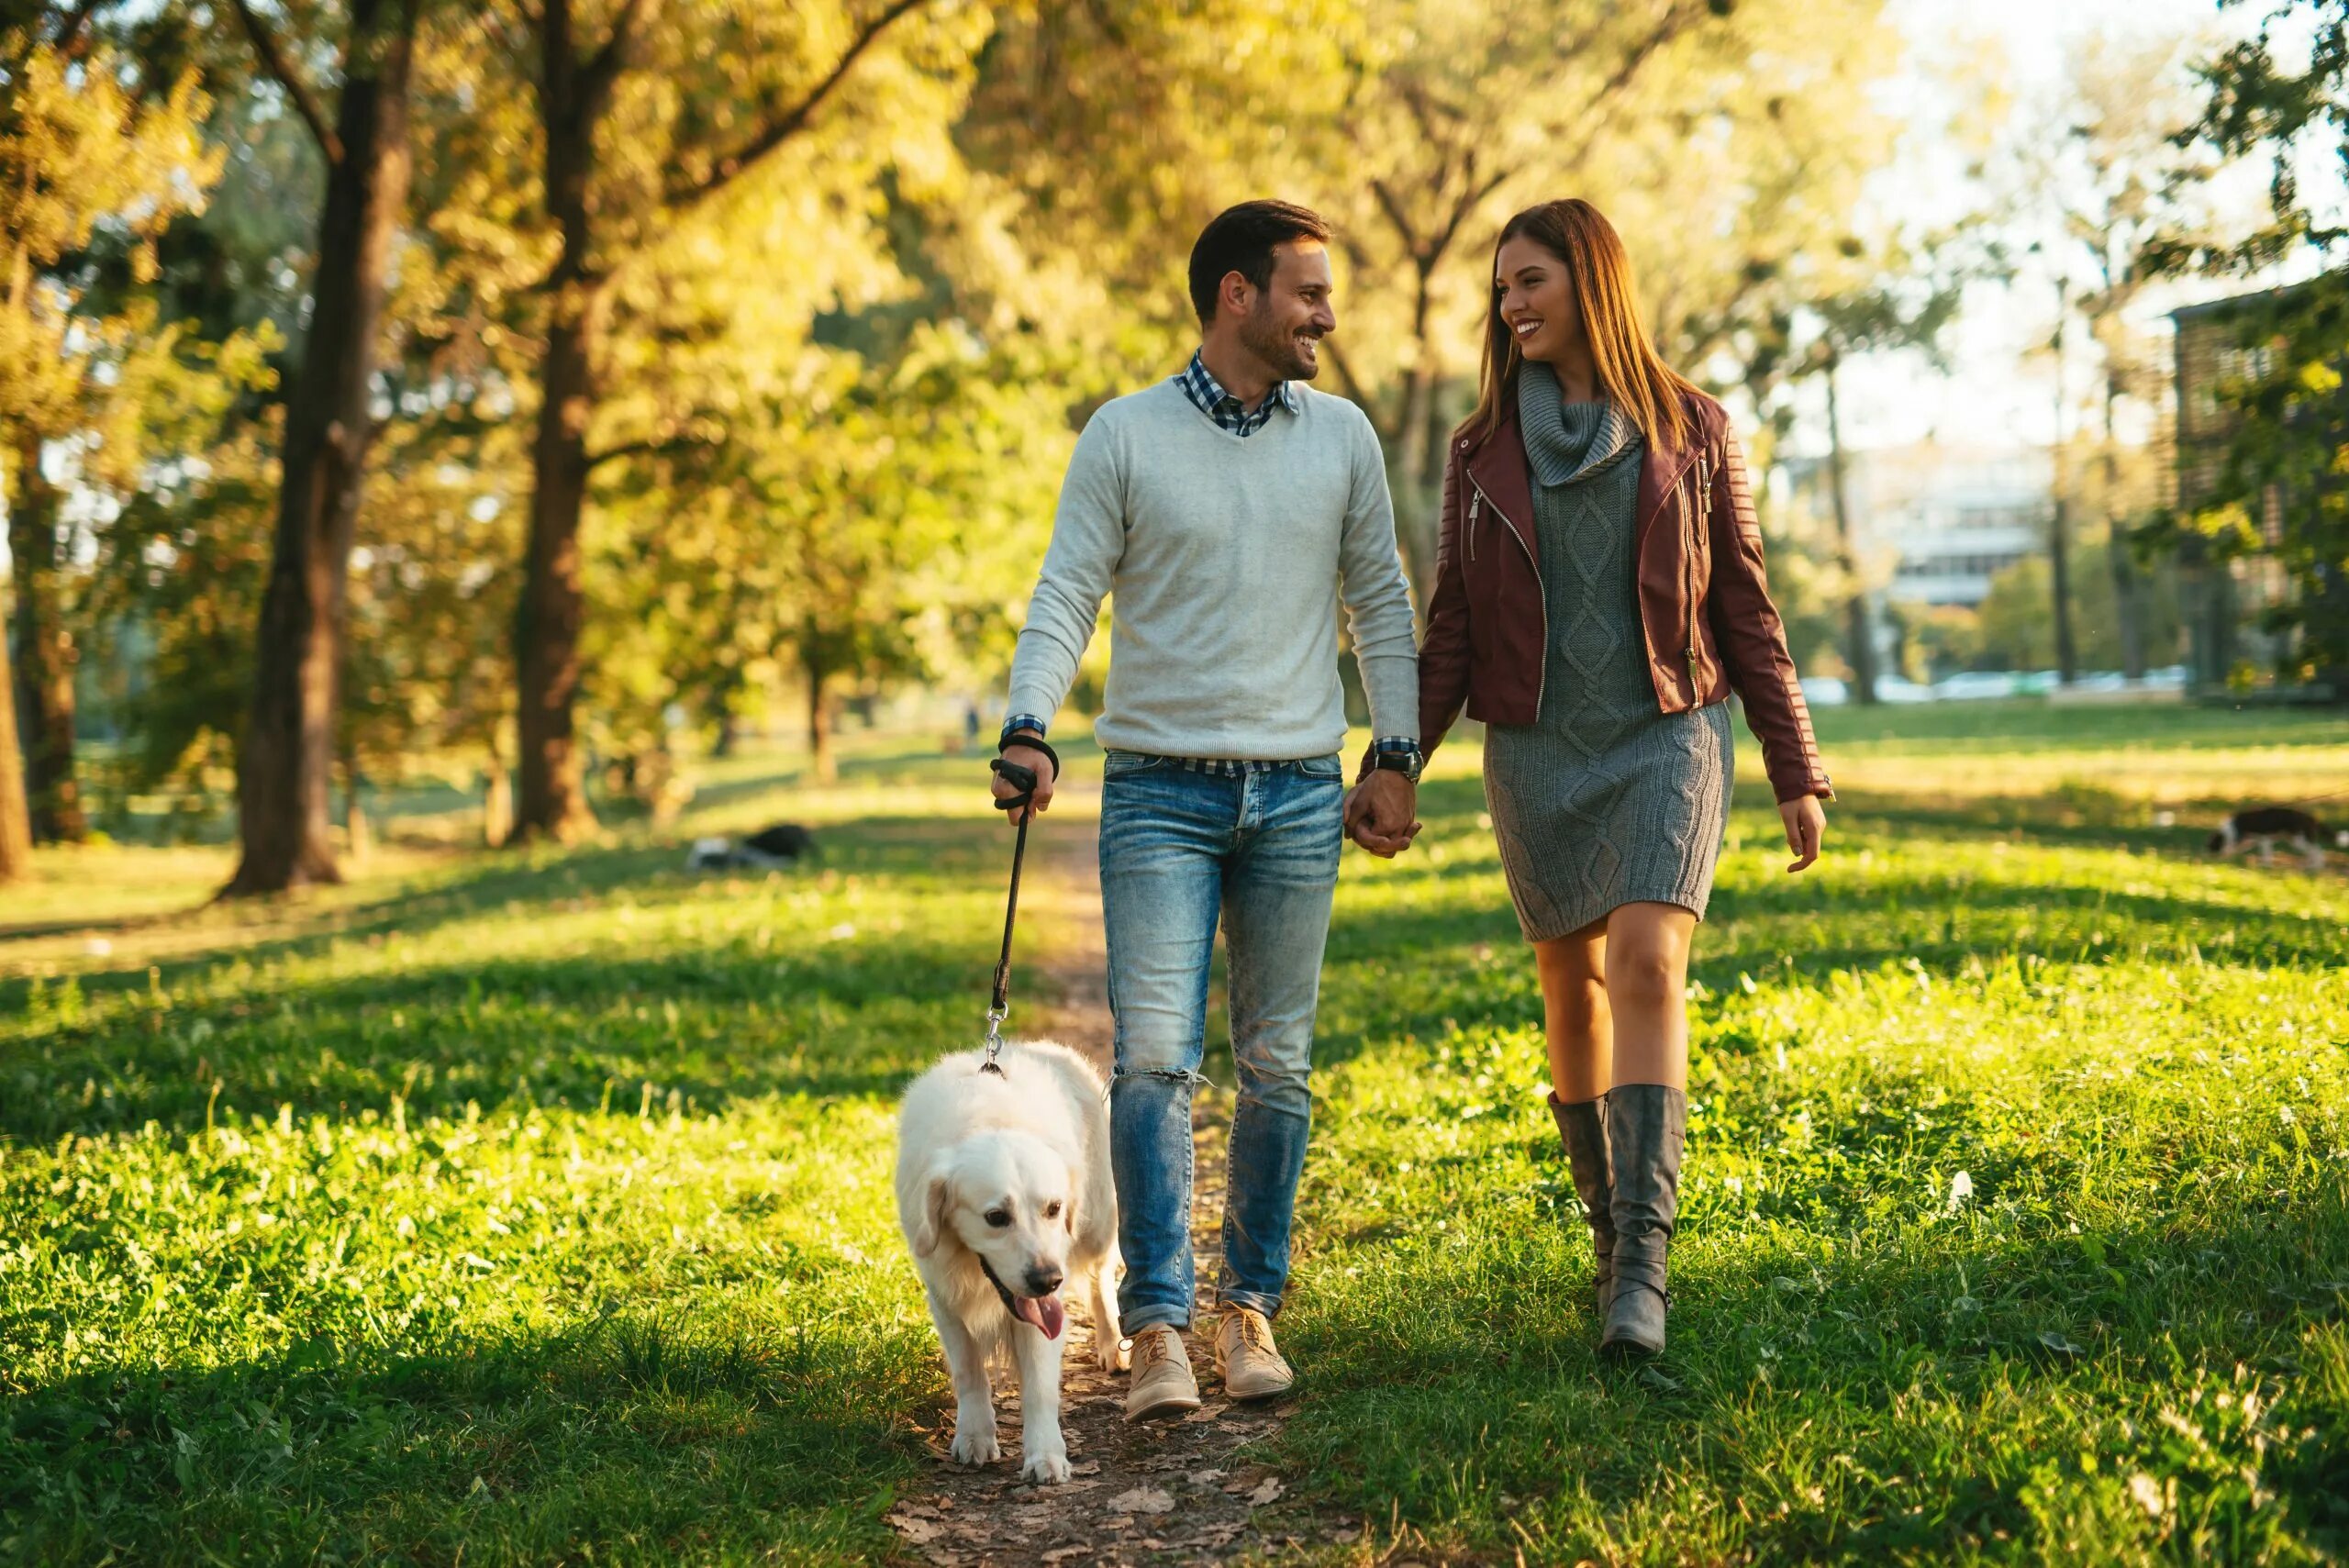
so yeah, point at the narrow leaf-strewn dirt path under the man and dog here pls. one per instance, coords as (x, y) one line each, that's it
(1155, 1494)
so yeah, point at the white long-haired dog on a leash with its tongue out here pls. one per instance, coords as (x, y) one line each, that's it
(1004, 1194)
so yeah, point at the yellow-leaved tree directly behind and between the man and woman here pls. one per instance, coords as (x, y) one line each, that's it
(1725, 142)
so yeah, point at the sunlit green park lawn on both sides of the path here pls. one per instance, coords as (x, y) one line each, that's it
(537, 1210)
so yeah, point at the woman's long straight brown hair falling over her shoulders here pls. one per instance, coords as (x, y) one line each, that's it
(1624, 356)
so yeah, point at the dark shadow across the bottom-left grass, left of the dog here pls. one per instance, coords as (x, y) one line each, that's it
(657, 1438)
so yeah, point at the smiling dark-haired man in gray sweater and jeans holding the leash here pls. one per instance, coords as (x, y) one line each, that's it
(1227, 511)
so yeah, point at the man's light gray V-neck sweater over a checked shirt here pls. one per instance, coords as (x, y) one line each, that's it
(1227, 560)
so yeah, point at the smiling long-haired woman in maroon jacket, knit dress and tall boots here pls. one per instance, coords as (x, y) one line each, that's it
(1598, 595)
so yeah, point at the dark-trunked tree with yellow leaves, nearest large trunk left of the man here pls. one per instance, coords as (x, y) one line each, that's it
(647, 123)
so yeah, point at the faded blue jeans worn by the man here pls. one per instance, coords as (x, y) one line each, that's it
(1187, 846)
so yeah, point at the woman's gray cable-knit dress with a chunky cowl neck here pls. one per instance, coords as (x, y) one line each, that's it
(1601, 802)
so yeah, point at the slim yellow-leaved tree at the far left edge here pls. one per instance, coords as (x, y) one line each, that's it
(93, 168)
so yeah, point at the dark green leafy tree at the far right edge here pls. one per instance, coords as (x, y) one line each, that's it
(2291, 440)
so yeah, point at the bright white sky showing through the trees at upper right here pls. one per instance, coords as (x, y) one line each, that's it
(2000, 388)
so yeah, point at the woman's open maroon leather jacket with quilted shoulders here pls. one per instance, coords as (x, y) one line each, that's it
(1704, 597)
